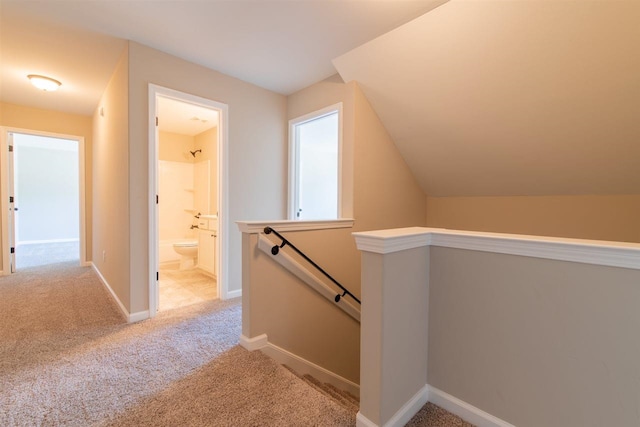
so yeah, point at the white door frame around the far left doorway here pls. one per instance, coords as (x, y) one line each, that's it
(5, 132)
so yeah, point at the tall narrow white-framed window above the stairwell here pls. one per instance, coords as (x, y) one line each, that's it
(314, 165)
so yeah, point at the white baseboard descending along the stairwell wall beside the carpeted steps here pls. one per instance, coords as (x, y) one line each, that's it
(298, 364)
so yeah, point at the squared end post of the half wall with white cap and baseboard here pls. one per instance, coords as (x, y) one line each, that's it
(394, 325)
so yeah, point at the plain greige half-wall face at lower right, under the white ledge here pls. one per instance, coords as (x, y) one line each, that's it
(535, 342)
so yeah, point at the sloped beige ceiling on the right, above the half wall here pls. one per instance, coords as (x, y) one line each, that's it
(511, 97)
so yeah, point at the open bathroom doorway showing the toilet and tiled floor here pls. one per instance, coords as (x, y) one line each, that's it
(187, 248)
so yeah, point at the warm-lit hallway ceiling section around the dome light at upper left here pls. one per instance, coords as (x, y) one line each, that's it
(82, 60)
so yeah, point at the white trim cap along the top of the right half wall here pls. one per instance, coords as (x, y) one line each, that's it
(614, 254)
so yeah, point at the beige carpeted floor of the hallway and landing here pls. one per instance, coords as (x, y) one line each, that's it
(68, 359)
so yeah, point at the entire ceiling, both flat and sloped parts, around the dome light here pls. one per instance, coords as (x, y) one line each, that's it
(482, 97)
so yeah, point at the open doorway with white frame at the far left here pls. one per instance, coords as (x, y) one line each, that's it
(43, 177)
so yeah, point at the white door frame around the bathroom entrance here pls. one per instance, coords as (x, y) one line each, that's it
(222, 250)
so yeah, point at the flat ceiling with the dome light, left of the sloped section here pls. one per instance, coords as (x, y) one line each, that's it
(280, 45)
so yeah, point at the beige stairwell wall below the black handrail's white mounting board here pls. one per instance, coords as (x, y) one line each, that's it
(295, 317)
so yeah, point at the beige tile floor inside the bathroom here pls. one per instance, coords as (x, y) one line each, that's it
(184, 287)
